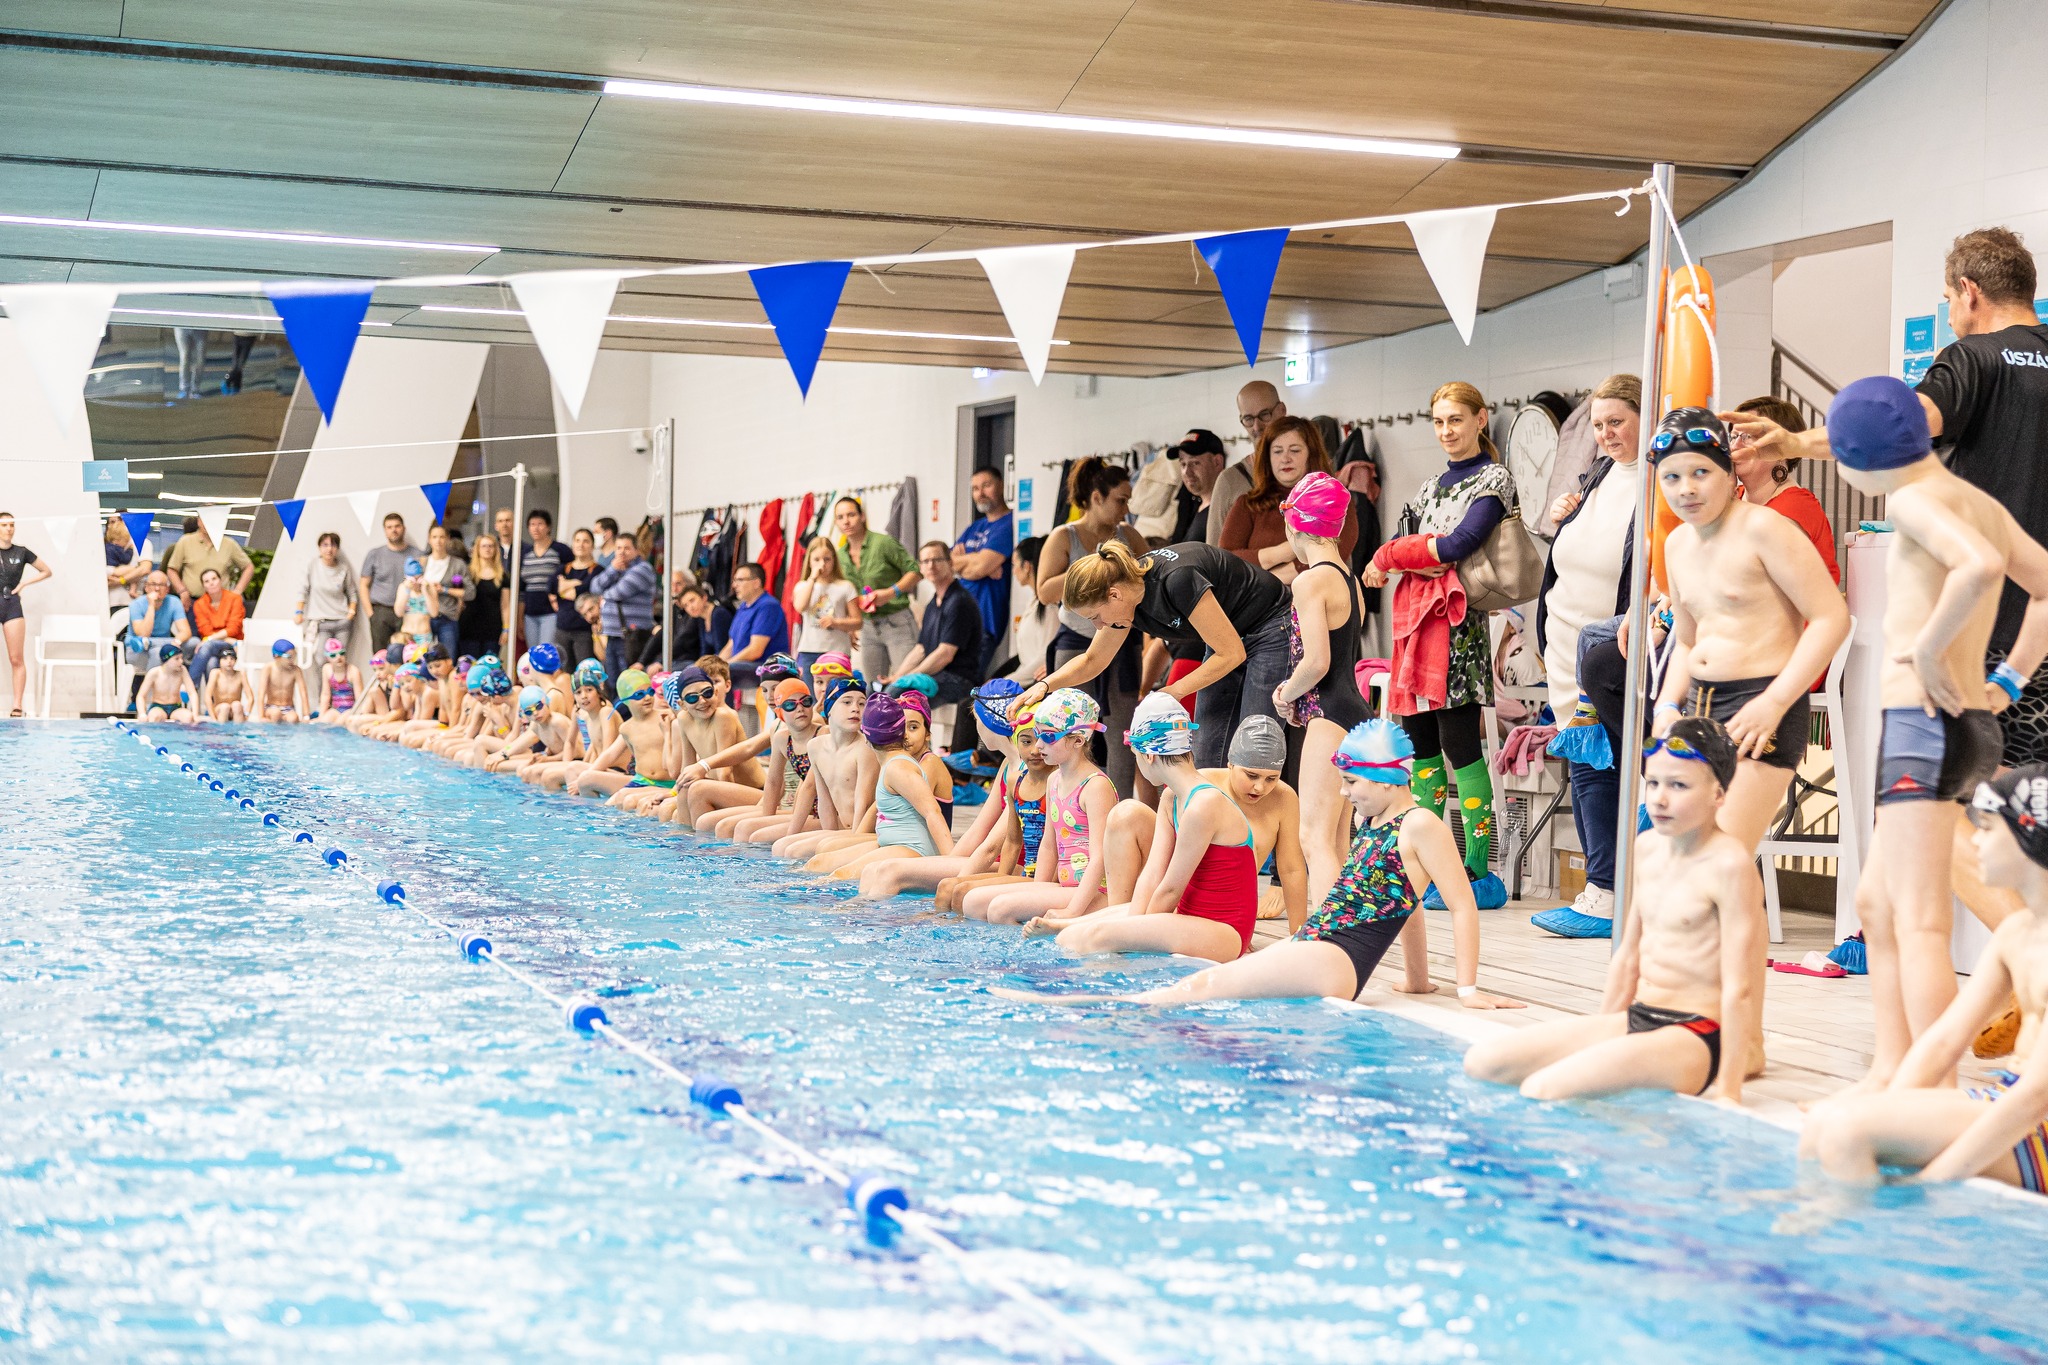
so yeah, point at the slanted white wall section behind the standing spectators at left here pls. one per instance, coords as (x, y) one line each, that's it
(396, 392)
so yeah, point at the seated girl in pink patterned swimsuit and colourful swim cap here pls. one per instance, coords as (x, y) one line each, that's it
(1078, 801)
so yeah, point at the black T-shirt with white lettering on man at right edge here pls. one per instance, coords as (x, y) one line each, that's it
(1994, 398)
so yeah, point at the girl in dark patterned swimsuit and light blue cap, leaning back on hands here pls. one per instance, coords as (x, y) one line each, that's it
(1400, 850)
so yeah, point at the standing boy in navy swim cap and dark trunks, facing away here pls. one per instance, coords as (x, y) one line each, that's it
(1951, 552)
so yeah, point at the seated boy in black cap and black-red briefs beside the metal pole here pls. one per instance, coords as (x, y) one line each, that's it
(1691, 961)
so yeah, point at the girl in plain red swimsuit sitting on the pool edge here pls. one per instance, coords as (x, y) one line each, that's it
(1199, 893)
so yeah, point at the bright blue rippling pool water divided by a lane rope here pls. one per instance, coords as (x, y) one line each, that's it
(255, 1114)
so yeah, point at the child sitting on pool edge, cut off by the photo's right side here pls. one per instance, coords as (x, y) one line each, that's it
(1920, 1118)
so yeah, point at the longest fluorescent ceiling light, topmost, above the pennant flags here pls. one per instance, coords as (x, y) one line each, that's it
(1025, 120)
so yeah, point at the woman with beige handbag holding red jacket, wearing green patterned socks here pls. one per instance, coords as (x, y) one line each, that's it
(1445, 660)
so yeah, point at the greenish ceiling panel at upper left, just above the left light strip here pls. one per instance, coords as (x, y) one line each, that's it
(224, 118)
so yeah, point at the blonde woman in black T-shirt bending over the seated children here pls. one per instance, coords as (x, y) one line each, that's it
(1185, 595)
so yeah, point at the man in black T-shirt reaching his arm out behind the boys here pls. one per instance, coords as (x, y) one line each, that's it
(1988, 408)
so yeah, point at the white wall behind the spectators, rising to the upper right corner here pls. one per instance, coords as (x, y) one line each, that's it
(1949, 138)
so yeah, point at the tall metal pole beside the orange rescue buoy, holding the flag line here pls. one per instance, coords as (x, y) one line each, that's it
(1639, 590)
